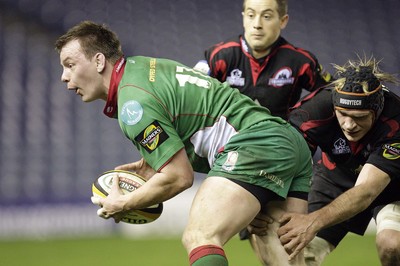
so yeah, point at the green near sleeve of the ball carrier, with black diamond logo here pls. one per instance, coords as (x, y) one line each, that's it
(144, 121)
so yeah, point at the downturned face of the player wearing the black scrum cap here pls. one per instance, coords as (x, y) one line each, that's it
(355, 124)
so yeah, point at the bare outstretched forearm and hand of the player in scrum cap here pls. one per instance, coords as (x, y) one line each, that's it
(298, 230)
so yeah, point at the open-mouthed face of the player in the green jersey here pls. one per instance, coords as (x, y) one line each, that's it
(80, 73)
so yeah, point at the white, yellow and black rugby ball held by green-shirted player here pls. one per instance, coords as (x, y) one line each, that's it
(128, 182)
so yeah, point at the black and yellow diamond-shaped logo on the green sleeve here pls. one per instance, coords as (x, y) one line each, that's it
(152, 137)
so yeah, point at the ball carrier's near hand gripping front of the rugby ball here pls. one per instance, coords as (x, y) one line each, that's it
(112, 205)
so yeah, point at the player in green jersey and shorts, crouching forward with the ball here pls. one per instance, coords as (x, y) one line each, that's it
(183, 121)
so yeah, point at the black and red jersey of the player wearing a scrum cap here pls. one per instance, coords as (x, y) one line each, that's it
(314, 117)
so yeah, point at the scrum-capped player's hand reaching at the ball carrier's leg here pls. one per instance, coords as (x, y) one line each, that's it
(295, 232)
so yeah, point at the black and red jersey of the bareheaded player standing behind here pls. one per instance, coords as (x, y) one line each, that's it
(276, 81)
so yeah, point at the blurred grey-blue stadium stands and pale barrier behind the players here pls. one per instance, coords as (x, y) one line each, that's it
(52, 146)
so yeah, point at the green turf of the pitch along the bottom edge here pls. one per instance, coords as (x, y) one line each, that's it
(113, 251)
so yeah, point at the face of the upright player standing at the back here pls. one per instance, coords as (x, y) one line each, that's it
(262, 25)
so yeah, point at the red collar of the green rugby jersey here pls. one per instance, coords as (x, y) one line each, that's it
(110, 109)
